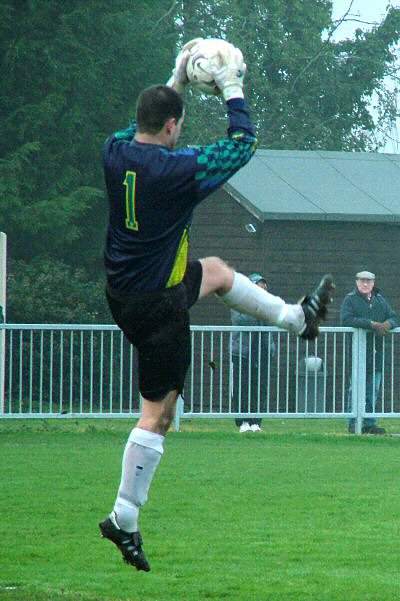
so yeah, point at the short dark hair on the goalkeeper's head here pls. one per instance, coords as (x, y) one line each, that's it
(155, 106)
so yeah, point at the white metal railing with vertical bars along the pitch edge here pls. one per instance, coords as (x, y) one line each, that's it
(73, 370)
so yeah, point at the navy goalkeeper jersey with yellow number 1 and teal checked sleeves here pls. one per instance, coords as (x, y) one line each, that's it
(152, 192)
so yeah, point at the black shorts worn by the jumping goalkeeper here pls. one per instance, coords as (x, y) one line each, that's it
(157, 323)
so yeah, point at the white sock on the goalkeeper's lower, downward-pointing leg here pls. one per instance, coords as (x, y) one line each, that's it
(142, 455)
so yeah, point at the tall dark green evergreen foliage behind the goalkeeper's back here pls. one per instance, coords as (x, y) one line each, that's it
(70, 75)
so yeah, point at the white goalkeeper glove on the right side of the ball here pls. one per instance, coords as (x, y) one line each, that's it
(229, 77)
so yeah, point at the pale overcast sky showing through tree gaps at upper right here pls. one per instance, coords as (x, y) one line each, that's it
(366, 13)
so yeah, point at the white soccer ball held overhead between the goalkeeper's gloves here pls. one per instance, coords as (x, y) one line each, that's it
(203, 57)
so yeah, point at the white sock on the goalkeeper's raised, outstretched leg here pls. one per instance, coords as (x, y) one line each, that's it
(247, 297)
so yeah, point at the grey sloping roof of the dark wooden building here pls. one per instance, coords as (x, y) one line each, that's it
(319, 185)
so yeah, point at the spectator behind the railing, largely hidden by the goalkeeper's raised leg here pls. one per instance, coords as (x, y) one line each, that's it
(251, 355)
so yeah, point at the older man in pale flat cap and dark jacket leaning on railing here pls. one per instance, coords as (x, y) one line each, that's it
(366, 308)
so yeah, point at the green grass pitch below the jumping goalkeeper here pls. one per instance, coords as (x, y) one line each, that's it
(300, 512)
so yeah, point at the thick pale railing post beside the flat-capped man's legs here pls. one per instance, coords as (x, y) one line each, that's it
(359, 353)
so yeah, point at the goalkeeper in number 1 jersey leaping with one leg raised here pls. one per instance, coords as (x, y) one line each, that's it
(152, 191)
